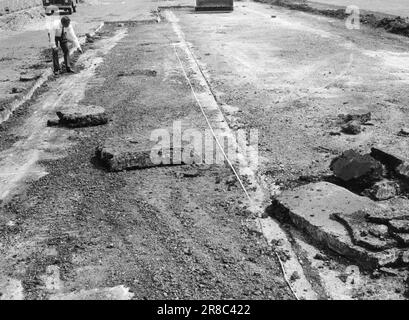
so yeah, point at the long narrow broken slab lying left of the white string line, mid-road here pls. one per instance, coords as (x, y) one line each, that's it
(123, 153)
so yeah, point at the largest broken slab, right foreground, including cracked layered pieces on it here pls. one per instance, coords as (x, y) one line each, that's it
(337, 219)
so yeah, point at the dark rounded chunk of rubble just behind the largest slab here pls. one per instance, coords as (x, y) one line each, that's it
(352, 165)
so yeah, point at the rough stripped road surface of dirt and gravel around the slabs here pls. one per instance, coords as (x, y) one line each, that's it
(71, 229)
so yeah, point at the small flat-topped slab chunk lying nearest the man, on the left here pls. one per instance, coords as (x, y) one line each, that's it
(82, 116)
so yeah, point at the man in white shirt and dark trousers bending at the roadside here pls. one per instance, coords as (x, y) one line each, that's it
(60, 34)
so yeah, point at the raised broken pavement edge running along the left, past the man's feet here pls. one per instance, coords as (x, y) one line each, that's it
(45, 76)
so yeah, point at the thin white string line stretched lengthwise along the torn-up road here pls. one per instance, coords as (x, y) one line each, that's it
(231, 165)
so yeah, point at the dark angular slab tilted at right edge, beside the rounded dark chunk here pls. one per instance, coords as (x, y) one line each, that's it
(393, 159)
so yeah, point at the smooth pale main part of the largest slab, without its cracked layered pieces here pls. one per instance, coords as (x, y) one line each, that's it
(310, 208)
